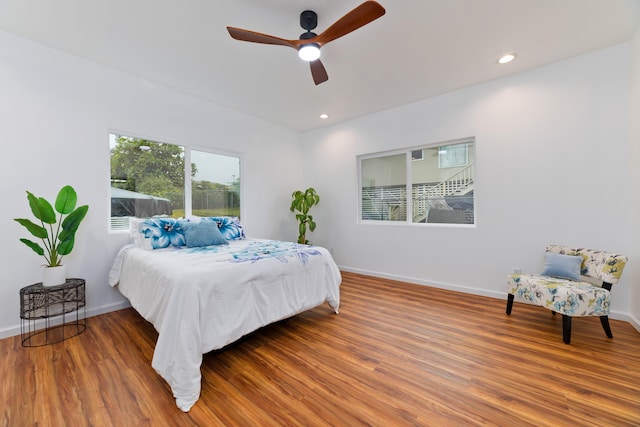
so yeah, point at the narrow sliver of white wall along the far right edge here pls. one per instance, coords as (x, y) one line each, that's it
(634, 166)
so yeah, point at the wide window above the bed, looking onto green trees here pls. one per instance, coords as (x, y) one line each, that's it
(148, 179)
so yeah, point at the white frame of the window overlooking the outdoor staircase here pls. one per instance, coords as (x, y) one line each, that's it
(409, 185)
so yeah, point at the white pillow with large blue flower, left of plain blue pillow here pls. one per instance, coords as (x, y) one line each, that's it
(156, 233)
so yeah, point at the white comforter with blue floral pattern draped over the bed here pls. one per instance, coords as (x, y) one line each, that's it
(201, 299)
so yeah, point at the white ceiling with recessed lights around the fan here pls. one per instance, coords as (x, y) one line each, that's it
(418, 49)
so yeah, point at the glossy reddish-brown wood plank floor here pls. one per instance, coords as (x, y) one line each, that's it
(397, 354)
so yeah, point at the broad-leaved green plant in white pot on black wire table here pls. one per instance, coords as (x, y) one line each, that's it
(57, 233)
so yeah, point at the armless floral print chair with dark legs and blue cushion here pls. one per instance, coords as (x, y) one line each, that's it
(568, 285)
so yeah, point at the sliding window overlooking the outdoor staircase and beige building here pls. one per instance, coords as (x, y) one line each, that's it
(438, 189)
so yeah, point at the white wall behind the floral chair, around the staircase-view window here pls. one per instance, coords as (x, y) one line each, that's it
(551, 167)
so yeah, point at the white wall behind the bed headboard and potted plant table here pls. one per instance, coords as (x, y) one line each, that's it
(55, 115)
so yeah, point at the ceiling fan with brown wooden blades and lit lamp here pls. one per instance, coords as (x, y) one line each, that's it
(309, 43)
